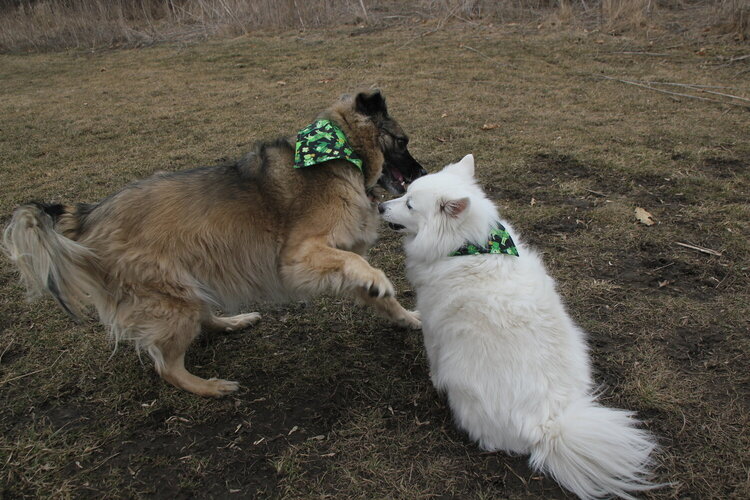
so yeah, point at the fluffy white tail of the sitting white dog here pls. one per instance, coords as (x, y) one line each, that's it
(595, 451)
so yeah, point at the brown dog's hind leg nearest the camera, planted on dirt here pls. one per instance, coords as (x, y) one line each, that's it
(170, 342)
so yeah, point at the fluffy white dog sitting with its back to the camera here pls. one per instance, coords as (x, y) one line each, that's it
(500, 343)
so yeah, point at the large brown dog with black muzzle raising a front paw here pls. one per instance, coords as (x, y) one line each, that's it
(153, 258)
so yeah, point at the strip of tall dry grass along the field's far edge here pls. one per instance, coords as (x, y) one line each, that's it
(90, 24)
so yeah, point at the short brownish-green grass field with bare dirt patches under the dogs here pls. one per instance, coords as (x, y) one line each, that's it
(335, 402)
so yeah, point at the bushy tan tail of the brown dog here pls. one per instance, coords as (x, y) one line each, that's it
(50, 262)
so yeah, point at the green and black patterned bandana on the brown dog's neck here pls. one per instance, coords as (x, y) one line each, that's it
(323, 141)
